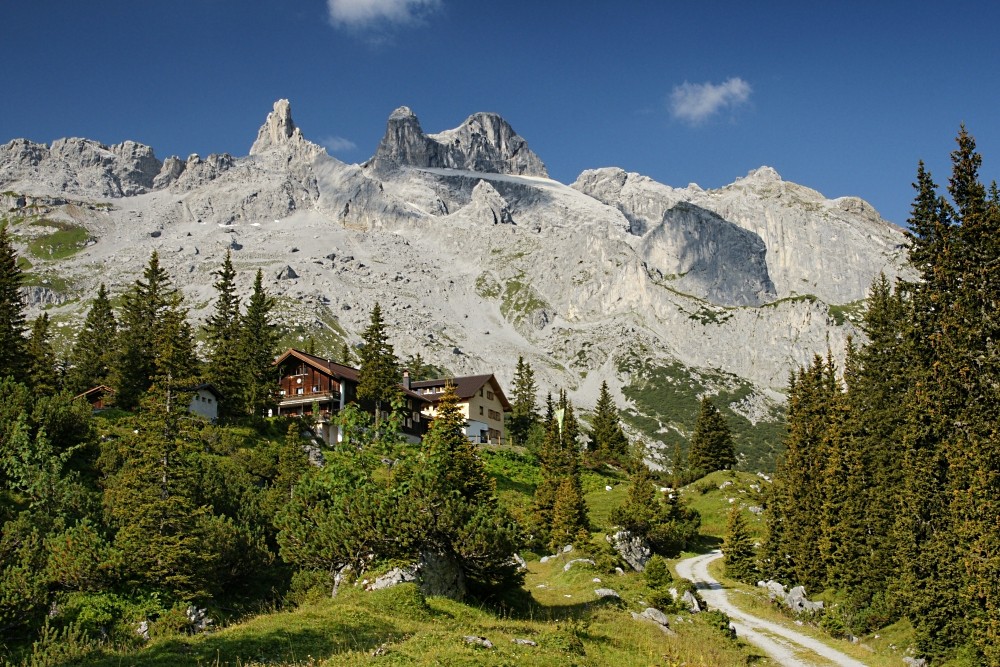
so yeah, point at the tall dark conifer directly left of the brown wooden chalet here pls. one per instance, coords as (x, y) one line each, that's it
(256, 349)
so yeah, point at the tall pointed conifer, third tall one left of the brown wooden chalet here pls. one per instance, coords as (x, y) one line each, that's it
(141, 320)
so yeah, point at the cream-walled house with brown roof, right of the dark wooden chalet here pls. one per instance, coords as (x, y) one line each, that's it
(480, 399)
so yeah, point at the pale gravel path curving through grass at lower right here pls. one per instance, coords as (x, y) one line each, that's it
(786, 646)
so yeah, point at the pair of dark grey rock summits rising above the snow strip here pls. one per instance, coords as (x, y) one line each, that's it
(485, 142)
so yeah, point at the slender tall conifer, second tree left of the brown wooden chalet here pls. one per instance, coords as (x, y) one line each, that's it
(222, 330)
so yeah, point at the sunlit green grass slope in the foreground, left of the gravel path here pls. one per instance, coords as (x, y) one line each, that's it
(556, 608)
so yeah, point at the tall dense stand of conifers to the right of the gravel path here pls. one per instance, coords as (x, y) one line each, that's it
(888, 492)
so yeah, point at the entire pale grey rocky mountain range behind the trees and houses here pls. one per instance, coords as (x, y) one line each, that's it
(475, 268)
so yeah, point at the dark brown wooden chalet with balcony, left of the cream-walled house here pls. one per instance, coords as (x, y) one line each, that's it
(307, 382)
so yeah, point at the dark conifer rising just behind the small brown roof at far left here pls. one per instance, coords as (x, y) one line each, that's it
(94, 352)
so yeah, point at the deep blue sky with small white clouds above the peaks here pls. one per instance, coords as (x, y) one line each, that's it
(843, 97)
